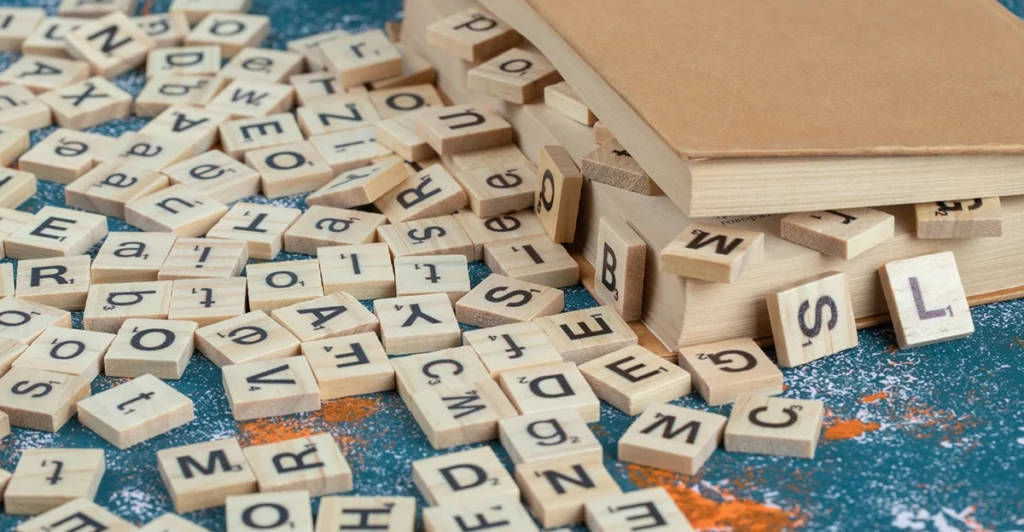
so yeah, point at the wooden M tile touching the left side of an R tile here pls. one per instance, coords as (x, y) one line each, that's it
(204, 475)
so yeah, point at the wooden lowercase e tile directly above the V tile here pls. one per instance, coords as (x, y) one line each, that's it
(245, 339)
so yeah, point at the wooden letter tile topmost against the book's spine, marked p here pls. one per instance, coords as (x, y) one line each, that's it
(474, 35)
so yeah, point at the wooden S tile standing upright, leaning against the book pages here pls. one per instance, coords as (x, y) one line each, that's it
(813, 319)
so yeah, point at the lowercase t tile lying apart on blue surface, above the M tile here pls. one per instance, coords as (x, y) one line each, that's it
(138, 411)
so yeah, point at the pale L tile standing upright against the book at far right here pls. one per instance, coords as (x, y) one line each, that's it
(926, 300)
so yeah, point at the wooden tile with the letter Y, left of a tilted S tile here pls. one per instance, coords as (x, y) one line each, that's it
(417, 324)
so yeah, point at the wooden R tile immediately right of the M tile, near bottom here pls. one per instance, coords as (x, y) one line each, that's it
(314, 464)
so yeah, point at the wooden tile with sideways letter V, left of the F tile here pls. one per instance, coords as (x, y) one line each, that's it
(270, 388)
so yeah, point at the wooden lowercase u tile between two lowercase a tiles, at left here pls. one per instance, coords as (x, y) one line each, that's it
(177, 209)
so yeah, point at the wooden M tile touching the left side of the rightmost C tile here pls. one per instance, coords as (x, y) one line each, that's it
(672, 438)
